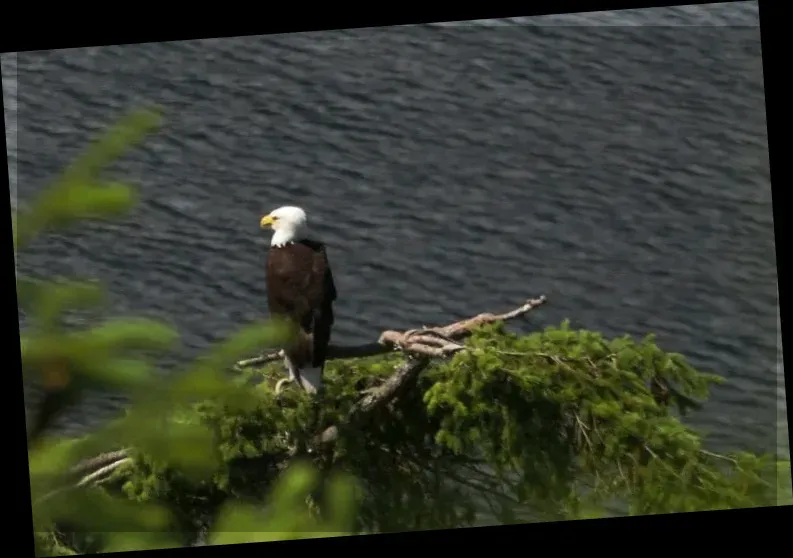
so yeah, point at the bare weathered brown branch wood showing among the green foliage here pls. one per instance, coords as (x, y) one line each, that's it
(418, 345)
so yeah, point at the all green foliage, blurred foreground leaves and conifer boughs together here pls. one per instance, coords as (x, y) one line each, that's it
(558, 424)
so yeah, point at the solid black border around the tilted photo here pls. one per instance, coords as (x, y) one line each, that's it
(709, 528)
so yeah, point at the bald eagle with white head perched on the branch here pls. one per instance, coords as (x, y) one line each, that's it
(300, 290)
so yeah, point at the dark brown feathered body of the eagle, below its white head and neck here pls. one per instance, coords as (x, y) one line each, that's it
(300, 289)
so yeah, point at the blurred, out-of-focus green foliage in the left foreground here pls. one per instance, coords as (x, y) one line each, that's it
(70, 512)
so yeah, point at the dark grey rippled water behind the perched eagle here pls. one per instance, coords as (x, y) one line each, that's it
(616, 164)
